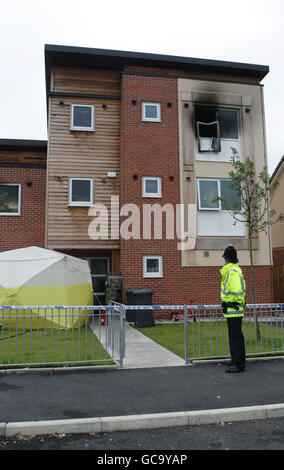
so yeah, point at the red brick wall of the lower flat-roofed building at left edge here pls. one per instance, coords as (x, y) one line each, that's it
(27, 229)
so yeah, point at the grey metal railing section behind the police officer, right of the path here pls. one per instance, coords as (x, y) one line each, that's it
(206, 335)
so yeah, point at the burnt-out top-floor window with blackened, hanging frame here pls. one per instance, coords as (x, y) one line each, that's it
(217, 130)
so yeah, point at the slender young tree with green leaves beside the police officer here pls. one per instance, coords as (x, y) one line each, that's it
(253, 208)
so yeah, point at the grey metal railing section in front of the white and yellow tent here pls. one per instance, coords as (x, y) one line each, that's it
(59, 335)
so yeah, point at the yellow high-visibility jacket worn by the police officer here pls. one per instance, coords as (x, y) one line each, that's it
(233, 289)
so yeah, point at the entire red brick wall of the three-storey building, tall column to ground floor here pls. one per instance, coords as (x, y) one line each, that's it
(152, 149)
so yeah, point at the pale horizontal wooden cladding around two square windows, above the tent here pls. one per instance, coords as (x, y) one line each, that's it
(81, 155)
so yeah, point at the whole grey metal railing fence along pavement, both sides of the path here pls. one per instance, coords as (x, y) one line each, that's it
(84, 335)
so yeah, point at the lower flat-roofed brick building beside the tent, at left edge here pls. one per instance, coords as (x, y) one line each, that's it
(22, 193)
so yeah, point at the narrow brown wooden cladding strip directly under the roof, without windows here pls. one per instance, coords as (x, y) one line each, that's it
(69, 80)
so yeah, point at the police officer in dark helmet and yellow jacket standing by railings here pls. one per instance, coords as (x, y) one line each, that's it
(233, 291)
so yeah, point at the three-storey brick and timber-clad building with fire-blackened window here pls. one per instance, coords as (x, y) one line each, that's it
(130, 134)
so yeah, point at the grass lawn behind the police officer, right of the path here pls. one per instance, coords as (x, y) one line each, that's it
(210, 339)
